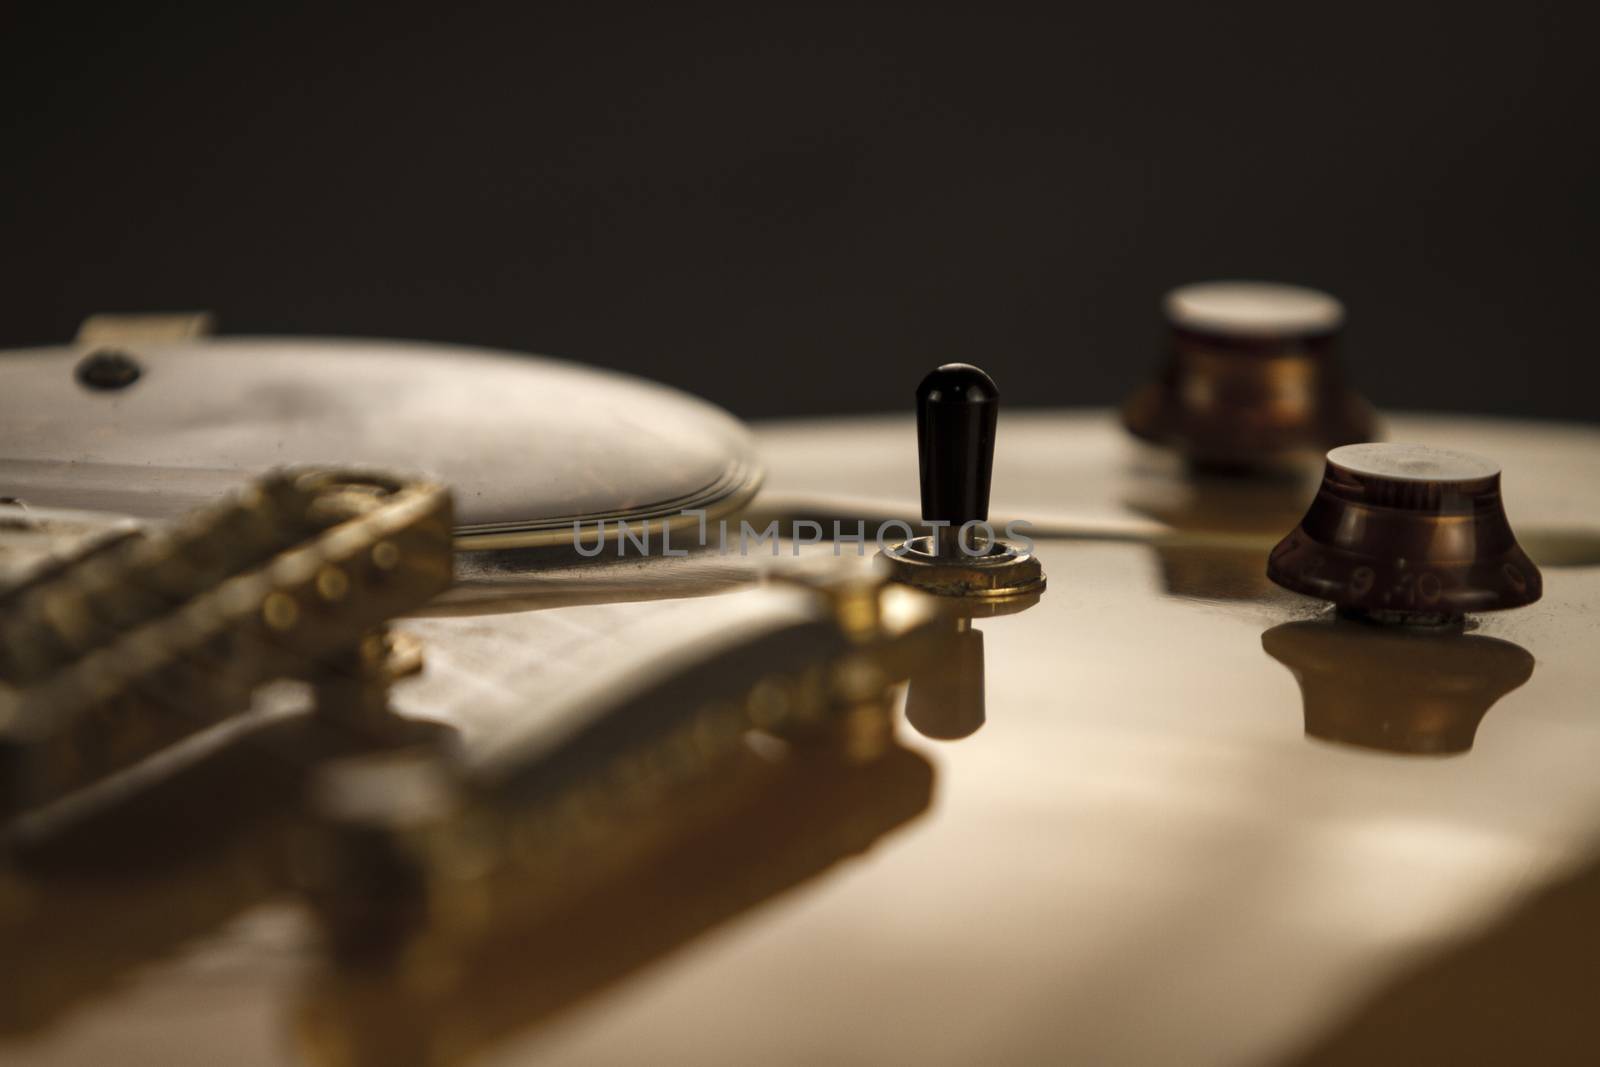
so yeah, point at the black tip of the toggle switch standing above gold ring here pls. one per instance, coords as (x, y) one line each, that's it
(958, 409)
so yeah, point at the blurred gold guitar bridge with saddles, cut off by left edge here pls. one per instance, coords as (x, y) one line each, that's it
(138, 641)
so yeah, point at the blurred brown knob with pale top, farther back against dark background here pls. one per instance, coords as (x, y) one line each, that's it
(1254, 378)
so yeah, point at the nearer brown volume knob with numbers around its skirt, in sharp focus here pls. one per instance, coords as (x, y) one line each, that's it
(1407, 533)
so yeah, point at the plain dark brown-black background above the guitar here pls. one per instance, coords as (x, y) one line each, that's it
(801, 210)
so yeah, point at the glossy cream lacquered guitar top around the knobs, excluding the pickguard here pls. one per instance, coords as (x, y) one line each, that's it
(1199, 821)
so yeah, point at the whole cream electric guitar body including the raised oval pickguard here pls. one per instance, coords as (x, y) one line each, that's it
(1162, 810)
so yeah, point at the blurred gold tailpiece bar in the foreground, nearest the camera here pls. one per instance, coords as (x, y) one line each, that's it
(809, 666)
